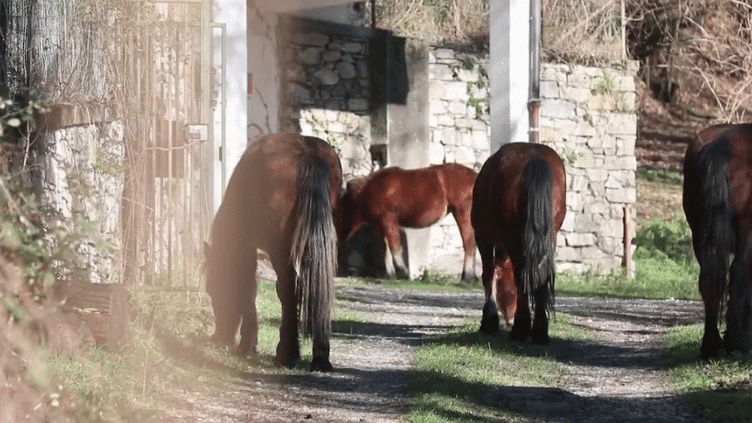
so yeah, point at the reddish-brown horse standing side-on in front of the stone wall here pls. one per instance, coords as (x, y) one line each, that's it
(392, 198)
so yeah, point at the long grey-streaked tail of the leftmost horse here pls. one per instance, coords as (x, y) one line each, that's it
(314, 247)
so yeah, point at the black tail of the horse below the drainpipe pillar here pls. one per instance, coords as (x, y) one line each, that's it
(538, 231)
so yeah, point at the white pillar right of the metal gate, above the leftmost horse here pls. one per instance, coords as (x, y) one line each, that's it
(233, 15)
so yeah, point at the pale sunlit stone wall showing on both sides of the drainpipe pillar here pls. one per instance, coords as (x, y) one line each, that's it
(587, 115)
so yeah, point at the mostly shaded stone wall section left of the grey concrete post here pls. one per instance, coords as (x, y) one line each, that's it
(326, 88)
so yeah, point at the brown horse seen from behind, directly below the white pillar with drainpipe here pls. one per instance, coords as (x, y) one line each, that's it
(519, 202)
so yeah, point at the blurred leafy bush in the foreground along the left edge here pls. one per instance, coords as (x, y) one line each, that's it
(33, 248)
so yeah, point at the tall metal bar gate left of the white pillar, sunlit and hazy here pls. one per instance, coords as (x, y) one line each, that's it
(167, 200)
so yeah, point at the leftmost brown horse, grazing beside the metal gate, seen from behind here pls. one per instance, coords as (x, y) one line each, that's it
(281, 198)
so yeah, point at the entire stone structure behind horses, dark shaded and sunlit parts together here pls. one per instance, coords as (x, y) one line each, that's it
(332, 90)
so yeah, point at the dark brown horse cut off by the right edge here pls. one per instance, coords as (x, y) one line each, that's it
(718, 204)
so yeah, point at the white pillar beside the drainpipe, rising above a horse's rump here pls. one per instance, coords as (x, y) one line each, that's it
(510, 40)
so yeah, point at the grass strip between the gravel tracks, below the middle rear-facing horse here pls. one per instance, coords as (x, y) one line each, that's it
(456, 374)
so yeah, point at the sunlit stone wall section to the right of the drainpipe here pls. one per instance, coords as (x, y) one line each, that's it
(588, 116)
